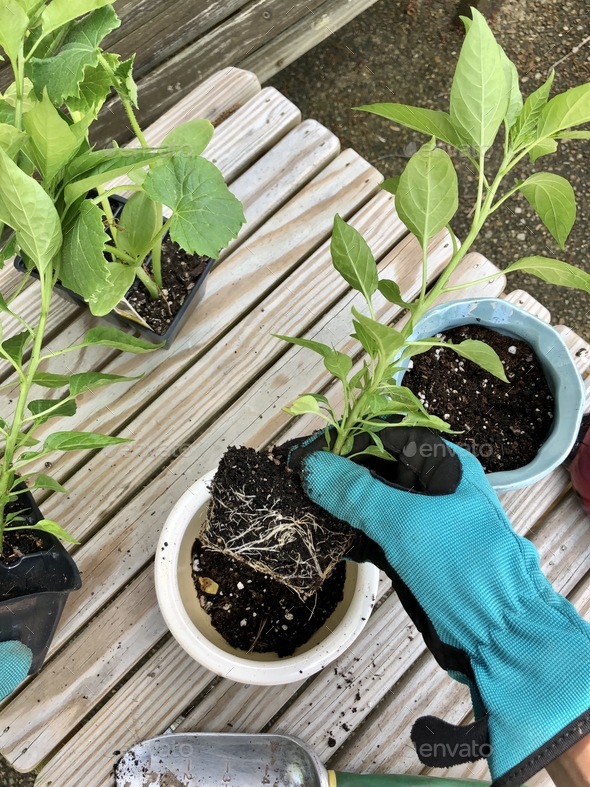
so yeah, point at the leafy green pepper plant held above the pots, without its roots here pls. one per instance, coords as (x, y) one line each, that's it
(486, 111)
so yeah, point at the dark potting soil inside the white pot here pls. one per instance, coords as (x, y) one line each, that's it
(253, 612)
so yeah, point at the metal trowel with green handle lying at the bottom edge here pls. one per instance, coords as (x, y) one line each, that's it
(207, 759)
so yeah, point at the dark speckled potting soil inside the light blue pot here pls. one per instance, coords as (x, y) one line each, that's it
(504, 424)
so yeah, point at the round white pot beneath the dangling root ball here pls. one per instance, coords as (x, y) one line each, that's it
(191, 626)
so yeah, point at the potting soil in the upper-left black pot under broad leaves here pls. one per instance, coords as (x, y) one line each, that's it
(180, 272)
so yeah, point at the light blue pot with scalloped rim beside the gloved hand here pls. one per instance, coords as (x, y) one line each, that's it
(560, 370)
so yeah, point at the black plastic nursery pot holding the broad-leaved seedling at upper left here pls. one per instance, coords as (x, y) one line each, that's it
(119, 320)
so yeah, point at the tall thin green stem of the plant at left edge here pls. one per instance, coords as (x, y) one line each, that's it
(7, 472)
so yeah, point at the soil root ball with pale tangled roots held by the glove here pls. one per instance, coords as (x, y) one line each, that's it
(260, 515)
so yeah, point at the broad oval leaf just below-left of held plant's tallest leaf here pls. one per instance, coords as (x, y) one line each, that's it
(428, 194)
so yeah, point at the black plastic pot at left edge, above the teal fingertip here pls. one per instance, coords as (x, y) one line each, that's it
(39, 585)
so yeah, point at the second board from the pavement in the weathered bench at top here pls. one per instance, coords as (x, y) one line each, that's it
(224, 46)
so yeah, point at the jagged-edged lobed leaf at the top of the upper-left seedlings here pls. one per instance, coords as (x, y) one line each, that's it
(63, 74)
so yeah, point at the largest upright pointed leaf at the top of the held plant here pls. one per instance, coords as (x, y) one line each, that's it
(479, 93)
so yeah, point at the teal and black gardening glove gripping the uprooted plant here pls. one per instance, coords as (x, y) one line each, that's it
(475, 590)
